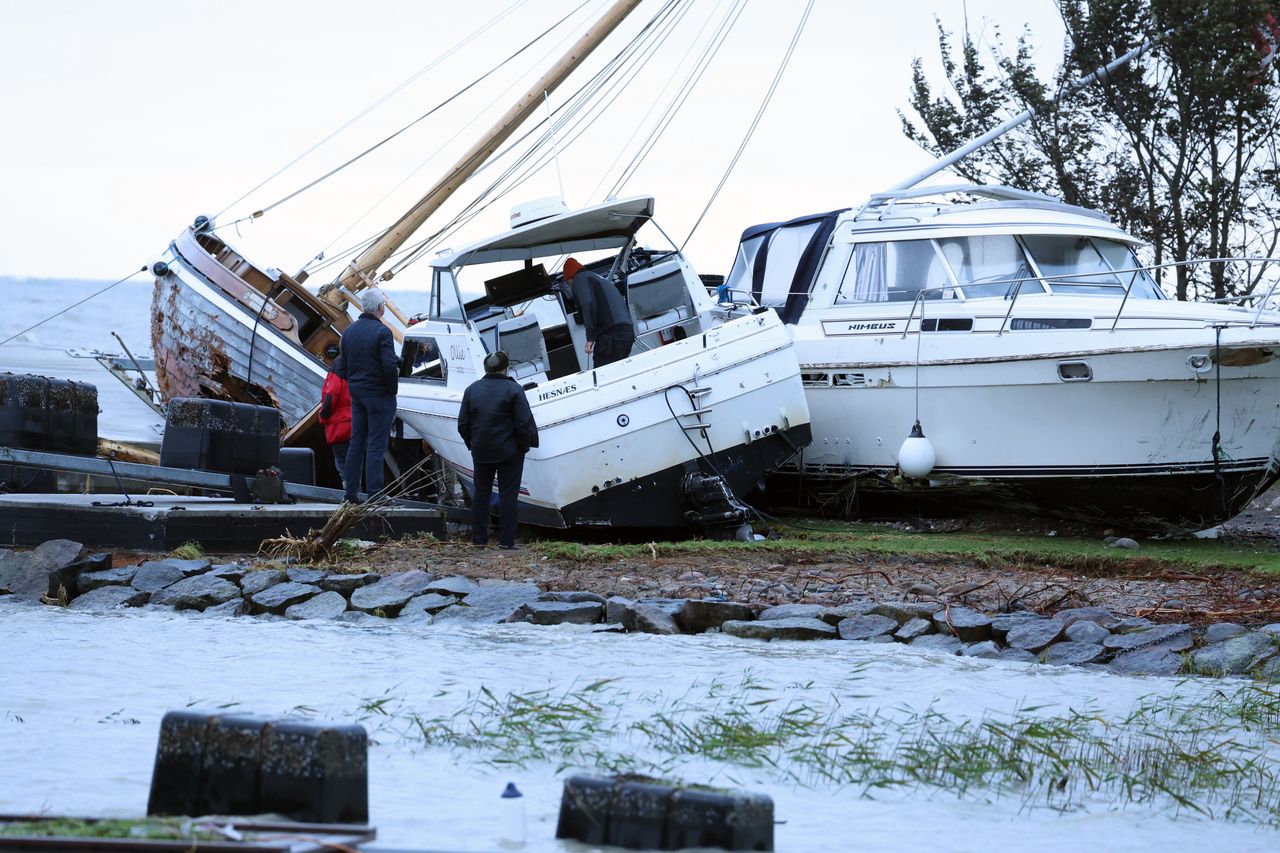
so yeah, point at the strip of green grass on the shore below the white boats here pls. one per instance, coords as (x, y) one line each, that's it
(838, 541)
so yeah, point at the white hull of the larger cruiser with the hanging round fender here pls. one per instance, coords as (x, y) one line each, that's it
(1090, 423)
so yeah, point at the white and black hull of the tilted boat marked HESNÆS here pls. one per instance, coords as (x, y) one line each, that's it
(618, 443)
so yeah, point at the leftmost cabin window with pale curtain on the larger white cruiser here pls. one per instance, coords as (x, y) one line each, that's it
(895, 272)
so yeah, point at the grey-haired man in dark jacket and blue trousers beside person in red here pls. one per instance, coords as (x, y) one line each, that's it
(373, 378)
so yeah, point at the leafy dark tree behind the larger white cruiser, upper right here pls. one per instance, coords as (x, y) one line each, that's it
(1180, 147)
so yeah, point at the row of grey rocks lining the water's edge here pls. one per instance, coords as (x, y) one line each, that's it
(60, 573)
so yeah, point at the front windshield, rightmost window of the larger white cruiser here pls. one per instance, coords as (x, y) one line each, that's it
(1090, 266)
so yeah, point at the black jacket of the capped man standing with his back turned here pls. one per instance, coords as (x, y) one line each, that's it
(496, 422)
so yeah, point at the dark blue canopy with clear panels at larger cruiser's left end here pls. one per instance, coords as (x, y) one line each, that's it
(778, 261)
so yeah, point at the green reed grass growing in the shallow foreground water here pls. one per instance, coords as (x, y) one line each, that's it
(1218, 759)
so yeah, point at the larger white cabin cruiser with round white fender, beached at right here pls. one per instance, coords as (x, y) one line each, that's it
(1043, 362)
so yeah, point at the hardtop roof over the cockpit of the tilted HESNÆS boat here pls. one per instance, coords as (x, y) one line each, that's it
(607, 226)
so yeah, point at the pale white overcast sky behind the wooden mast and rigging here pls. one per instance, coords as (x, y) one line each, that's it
(124, 121)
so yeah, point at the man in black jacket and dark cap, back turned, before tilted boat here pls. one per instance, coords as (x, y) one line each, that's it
(499, 428)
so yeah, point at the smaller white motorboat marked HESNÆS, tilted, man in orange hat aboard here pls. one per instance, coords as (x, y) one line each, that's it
(680, 434)
